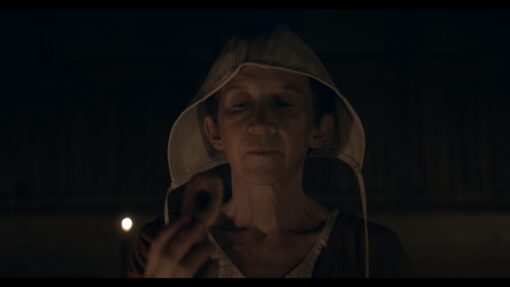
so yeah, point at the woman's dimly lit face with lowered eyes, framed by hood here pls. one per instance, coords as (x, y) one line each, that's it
(265, 124)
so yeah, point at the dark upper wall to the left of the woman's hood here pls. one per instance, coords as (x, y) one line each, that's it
(90, 95)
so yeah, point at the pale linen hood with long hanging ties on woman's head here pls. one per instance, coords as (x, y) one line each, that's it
(189, 151)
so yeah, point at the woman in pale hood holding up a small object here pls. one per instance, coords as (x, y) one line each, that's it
(267, 105)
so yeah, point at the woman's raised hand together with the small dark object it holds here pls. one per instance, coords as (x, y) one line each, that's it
(181, 250)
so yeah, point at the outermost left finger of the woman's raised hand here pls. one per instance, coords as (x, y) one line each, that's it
(158, 244)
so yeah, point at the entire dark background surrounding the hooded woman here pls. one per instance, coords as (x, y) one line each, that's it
(88, 98)
